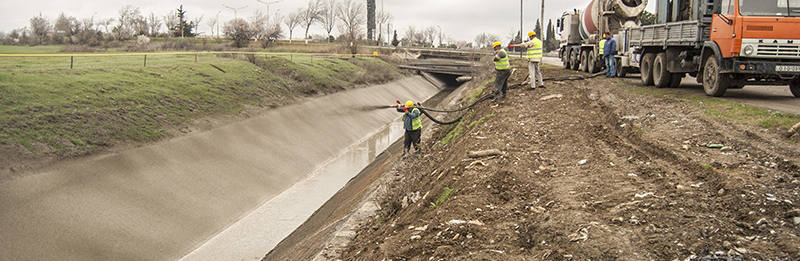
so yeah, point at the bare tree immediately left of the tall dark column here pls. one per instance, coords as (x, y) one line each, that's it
(353, 18)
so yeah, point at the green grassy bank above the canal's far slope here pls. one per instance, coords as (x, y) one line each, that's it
(104, 100)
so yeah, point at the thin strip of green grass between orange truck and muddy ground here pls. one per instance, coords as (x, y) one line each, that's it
(727, 110)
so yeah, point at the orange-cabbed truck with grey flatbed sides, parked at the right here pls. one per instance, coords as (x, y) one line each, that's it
(725, 44)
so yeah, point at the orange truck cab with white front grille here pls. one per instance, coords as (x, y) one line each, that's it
(758, 41)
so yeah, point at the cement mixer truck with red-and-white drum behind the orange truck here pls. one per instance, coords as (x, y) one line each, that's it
(581, 31)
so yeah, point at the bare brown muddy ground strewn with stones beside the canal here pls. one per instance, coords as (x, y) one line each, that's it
(589, 171)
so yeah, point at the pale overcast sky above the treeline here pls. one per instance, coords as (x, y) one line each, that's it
(458, 19)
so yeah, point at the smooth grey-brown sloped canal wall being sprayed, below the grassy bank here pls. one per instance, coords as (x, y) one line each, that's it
(163, 201)
